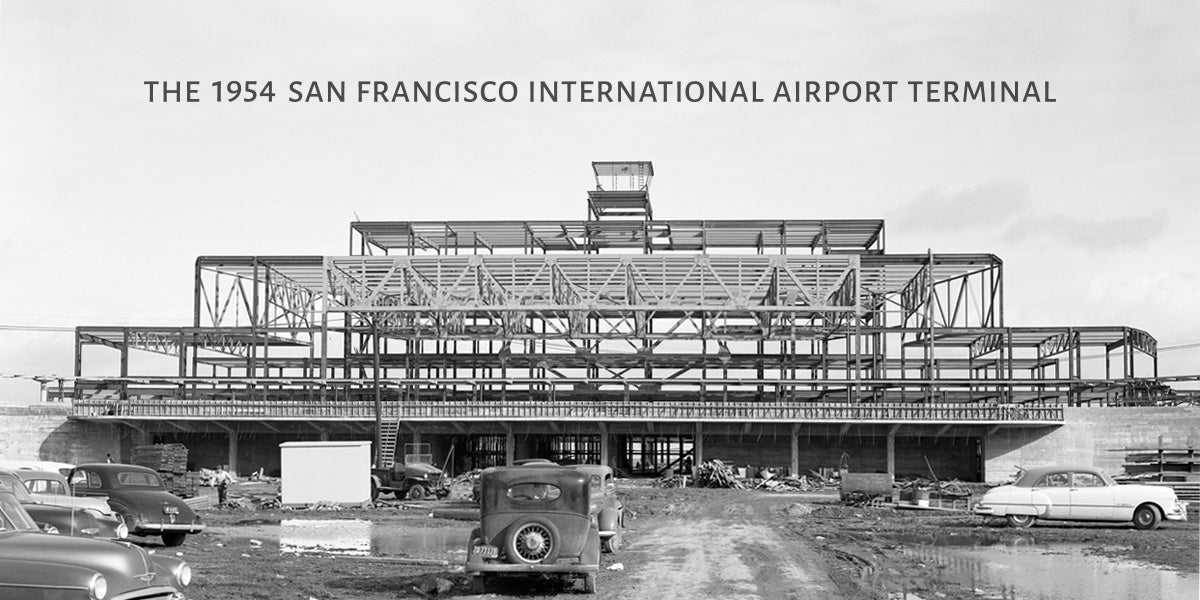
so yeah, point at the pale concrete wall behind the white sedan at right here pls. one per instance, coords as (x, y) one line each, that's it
(1093, 437)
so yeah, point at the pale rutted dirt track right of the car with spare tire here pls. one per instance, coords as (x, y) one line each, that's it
(729, 553)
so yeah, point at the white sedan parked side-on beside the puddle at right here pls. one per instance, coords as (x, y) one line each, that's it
(1079, 494)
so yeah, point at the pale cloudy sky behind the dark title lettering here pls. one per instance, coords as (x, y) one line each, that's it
(106, 200)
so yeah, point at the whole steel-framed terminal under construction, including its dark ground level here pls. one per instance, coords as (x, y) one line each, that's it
(621, 339)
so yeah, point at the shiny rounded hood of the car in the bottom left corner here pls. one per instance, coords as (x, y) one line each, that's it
(123, 565)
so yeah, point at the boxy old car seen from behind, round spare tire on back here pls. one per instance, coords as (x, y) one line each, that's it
(535, 521)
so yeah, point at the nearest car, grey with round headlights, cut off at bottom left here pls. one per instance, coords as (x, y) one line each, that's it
(37, 566)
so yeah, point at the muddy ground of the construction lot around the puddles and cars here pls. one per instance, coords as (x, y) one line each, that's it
(680, 544)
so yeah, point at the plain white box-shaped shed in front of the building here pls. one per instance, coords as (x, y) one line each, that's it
(326, 472)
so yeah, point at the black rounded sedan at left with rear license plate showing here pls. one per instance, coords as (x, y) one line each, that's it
(137, 494)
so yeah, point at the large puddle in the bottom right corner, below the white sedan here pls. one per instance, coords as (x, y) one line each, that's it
(1058, 572)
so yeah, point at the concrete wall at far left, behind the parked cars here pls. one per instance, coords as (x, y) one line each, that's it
(44, 433)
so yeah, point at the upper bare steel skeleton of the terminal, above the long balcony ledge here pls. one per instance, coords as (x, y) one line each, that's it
(523, 311)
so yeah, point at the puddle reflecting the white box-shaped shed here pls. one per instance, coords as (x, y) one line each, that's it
(358, 538)
